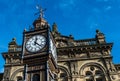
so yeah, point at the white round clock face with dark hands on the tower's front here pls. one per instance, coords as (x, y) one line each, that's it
(35, 43)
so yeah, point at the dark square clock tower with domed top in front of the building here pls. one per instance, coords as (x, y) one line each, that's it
(39, 52)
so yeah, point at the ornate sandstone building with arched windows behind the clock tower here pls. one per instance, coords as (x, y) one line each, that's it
(77, 60)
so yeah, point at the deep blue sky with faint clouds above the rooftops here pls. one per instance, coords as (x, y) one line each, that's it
(80, 18)
